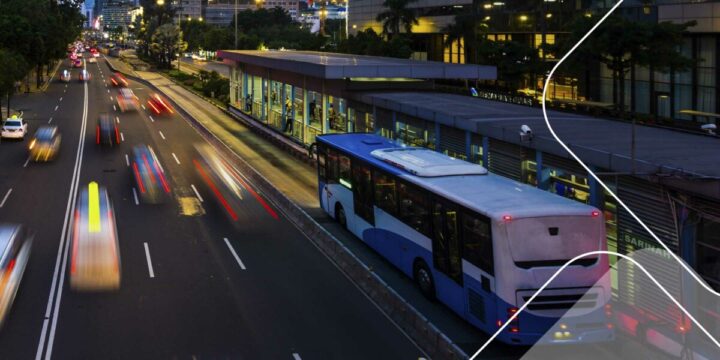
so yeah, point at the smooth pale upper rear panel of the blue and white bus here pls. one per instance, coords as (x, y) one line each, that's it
(553, 241)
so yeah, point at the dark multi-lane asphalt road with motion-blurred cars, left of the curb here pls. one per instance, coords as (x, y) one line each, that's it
(264, 293)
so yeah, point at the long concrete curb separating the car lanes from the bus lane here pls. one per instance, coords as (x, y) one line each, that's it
(406, 317)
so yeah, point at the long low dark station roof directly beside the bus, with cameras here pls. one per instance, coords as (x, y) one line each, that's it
(602, 143)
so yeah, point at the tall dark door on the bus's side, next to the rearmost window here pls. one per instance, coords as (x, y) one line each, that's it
(447, 255)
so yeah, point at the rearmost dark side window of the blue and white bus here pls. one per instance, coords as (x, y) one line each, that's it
(477, 241)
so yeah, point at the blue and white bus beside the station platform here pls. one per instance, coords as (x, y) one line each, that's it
(479, 243)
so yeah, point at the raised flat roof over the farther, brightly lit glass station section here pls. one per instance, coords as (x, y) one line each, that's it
(340, 66)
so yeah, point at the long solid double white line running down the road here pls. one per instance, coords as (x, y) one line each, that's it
(58, 281)
